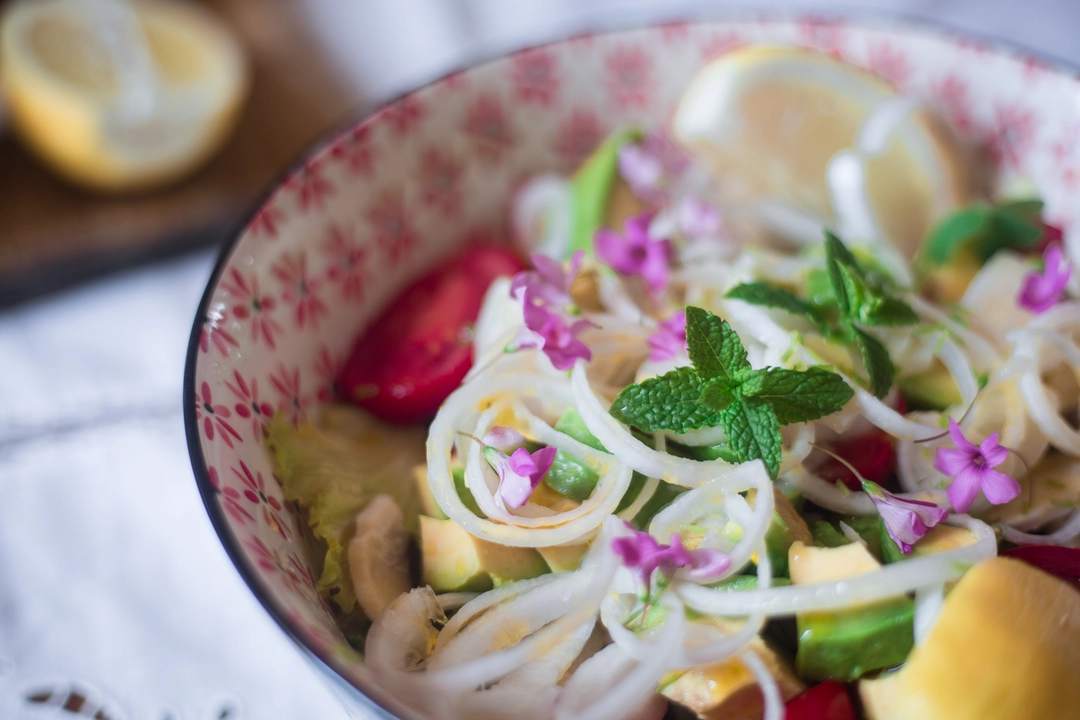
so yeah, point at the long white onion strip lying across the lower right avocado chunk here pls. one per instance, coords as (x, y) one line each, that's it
(890, 581)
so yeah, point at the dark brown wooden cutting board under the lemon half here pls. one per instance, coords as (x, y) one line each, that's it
(53, 235)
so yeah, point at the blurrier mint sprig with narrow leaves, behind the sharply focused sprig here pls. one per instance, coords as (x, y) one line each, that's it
(860, 303)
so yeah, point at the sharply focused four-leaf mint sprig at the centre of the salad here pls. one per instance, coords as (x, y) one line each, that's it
(722, 389)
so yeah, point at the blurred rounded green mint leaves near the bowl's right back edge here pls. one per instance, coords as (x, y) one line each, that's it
(985, 229)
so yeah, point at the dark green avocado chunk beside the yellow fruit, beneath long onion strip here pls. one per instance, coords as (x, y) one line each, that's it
(846, 645)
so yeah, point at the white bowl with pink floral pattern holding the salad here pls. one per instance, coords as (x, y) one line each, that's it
(396, 194)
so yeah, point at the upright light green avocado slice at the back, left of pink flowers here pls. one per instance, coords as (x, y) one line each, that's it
(593, 189)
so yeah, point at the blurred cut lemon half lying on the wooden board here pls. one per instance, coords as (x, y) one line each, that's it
(120, 97)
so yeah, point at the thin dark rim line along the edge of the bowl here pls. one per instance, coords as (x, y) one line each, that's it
(863, 18)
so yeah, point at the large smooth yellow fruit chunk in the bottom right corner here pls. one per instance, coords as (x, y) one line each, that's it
(1006, 647)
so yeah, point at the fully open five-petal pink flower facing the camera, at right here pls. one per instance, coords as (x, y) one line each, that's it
(973, 468)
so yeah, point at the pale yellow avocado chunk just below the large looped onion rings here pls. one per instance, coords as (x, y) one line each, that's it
(455, 561)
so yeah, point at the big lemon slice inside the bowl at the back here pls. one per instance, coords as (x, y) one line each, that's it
(769, 121)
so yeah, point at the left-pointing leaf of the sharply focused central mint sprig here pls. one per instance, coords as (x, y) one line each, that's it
(669, 402)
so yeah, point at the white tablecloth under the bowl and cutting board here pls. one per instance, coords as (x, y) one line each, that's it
(115, 593)
